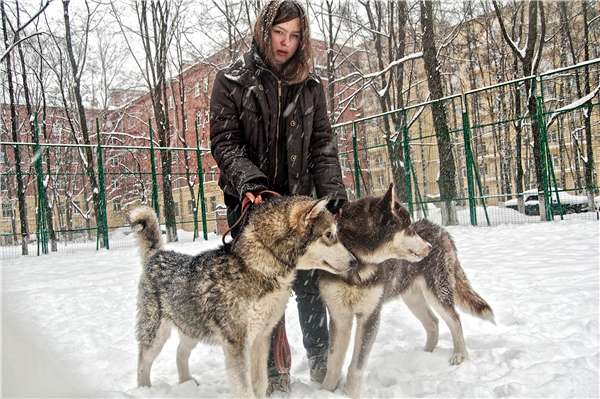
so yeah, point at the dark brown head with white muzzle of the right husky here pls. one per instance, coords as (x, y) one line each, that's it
(376, 229)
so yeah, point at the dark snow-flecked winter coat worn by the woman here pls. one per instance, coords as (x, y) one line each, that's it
(267, 134)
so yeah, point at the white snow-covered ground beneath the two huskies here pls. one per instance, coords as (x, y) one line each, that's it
(68, 326)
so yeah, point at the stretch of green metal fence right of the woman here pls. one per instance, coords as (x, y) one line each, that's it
(483, 125)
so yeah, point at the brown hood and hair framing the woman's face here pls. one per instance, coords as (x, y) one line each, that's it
(277, 12)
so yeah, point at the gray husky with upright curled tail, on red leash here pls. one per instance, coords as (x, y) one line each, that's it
(234, 295)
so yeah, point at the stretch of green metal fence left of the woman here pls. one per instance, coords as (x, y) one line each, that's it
(126, 175)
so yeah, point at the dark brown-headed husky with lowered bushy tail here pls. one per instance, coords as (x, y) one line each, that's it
(426, 273)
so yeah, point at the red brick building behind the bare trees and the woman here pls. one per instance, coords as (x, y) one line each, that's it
(128, 178)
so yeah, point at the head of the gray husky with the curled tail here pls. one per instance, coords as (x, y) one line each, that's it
(302, 232)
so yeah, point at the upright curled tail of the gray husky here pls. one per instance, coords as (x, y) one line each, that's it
(144, 222)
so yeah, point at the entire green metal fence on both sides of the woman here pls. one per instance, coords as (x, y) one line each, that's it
(399, 146)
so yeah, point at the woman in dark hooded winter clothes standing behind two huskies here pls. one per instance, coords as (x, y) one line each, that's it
(269, 131)
